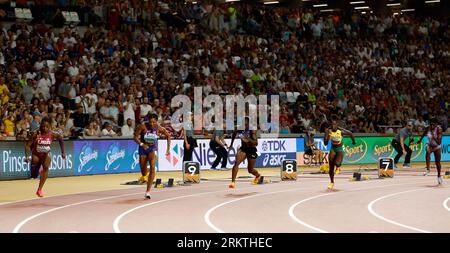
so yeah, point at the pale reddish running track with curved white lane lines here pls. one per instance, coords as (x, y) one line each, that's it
(406, 203)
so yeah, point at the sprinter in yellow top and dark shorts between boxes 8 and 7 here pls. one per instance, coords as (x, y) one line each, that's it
(337, 149)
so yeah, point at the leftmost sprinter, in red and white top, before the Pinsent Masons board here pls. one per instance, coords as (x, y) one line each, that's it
(40, 143)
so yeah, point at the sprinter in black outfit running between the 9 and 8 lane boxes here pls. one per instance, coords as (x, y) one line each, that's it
(246, 151)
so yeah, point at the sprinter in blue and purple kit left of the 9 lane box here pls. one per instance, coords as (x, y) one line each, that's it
(147, 137)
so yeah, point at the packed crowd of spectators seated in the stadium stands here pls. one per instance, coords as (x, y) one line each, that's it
(373, 72)
